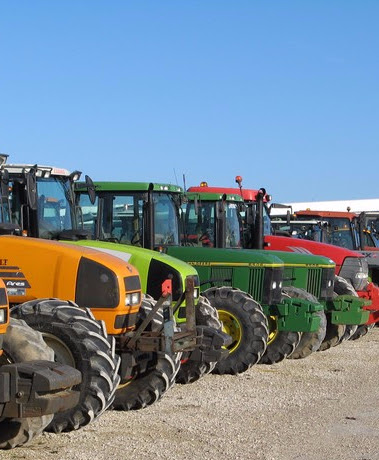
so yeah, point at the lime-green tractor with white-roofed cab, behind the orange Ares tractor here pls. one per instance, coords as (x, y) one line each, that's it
(41, 202)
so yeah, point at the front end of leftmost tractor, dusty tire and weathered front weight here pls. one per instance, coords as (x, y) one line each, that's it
(32, 387)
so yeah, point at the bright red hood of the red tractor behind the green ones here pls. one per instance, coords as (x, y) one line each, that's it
(285, 243)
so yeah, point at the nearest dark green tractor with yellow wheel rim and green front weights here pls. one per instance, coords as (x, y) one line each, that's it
(244, 286)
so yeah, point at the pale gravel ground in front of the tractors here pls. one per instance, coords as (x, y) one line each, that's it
(322, 407)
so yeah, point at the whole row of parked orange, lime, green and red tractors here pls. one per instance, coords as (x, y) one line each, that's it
(112, 292)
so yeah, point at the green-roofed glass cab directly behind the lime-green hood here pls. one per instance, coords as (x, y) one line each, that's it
(139, 214)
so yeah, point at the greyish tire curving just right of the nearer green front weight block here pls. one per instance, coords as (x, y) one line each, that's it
(309, 341)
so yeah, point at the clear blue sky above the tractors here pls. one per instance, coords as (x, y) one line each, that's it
(284, 93)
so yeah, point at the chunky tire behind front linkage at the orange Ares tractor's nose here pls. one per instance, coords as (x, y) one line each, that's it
(148, 386)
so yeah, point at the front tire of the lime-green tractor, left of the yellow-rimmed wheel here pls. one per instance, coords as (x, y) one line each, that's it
(191, 371)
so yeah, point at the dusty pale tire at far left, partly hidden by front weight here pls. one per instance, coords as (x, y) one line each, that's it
(21, 344)
